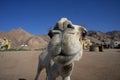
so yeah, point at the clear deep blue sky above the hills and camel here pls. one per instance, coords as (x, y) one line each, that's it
(38, 16)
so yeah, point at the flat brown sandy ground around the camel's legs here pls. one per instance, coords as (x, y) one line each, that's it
(22, 65)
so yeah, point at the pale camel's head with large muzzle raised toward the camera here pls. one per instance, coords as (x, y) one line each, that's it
(66, 43)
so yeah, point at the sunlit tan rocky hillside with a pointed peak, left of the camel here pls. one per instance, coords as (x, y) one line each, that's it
(20, 39)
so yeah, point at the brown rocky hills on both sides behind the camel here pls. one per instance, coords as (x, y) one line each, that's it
(21, 39)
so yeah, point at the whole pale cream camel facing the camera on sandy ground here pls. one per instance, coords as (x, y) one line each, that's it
(64, 48)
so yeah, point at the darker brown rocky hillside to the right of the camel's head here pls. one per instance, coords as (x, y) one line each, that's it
(97, 36)
